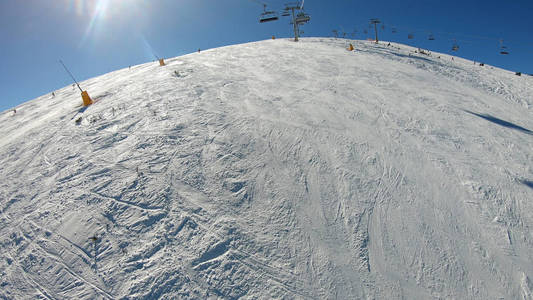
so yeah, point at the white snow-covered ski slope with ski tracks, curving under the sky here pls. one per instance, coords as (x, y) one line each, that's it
(274, 170)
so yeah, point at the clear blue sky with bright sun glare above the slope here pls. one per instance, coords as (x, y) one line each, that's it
(94, 37)
